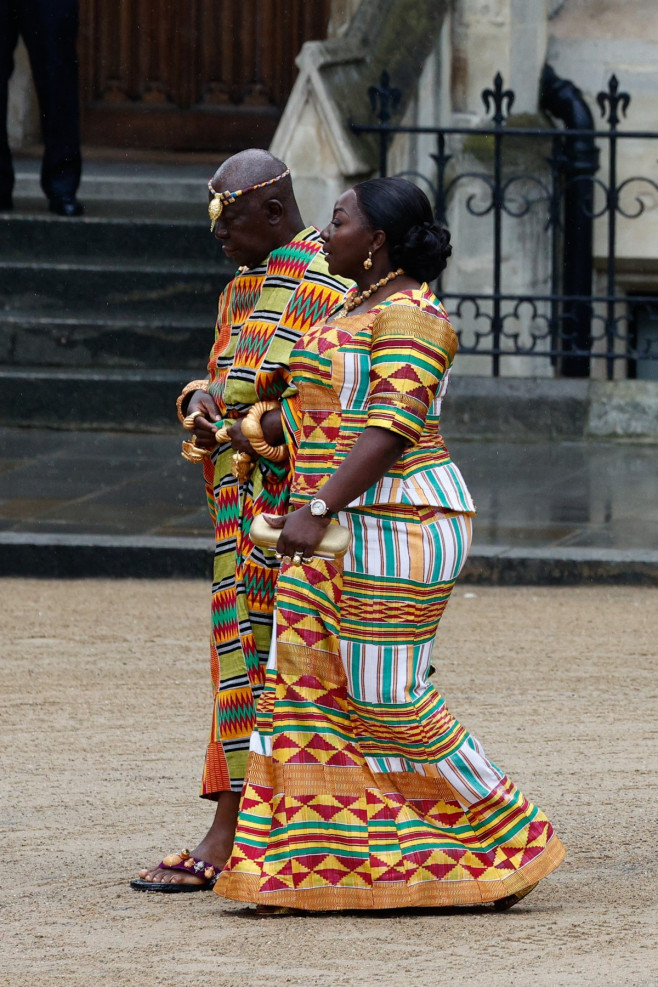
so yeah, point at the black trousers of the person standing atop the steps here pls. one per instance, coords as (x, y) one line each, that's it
(49, 29)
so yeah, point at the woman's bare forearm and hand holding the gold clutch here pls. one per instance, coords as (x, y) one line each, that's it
(371, 457)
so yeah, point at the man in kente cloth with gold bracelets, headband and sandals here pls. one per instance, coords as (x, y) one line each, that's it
(281, 289)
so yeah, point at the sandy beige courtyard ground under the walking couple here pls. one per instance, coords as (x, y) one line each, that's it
(103, 722)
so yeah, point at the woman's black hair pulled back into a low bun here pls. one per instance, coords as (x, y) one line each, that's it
(416, 242)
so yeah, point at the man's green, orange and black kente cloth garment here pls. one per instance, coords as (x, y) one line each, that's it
(261, 315)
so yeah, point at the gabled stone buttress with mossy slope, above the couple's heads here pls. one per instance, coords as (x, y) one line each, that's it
(332, 88)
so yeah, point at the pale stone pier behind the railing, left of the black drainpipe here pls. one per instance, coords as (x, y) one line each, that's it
(478, 40)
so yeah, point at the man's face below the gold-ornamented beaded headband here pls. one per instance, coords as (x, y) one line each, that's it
(243, 229)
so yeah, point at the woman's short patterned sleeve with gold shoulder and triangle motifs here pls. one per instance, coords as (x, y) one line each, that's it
(412, 349)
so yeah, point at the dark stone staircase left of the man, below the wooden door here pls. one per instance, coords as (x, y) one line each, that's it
(103, 318)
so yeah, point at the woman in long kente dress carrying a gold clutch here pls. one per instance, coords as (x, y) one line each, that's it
(362, 789)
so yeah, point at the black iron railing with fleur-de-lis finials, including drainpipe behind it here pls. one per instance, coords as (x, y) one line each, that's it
(569, 323)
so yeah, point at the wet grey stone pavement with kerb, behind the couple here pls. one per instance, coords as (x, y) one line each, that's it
(584, 503)
